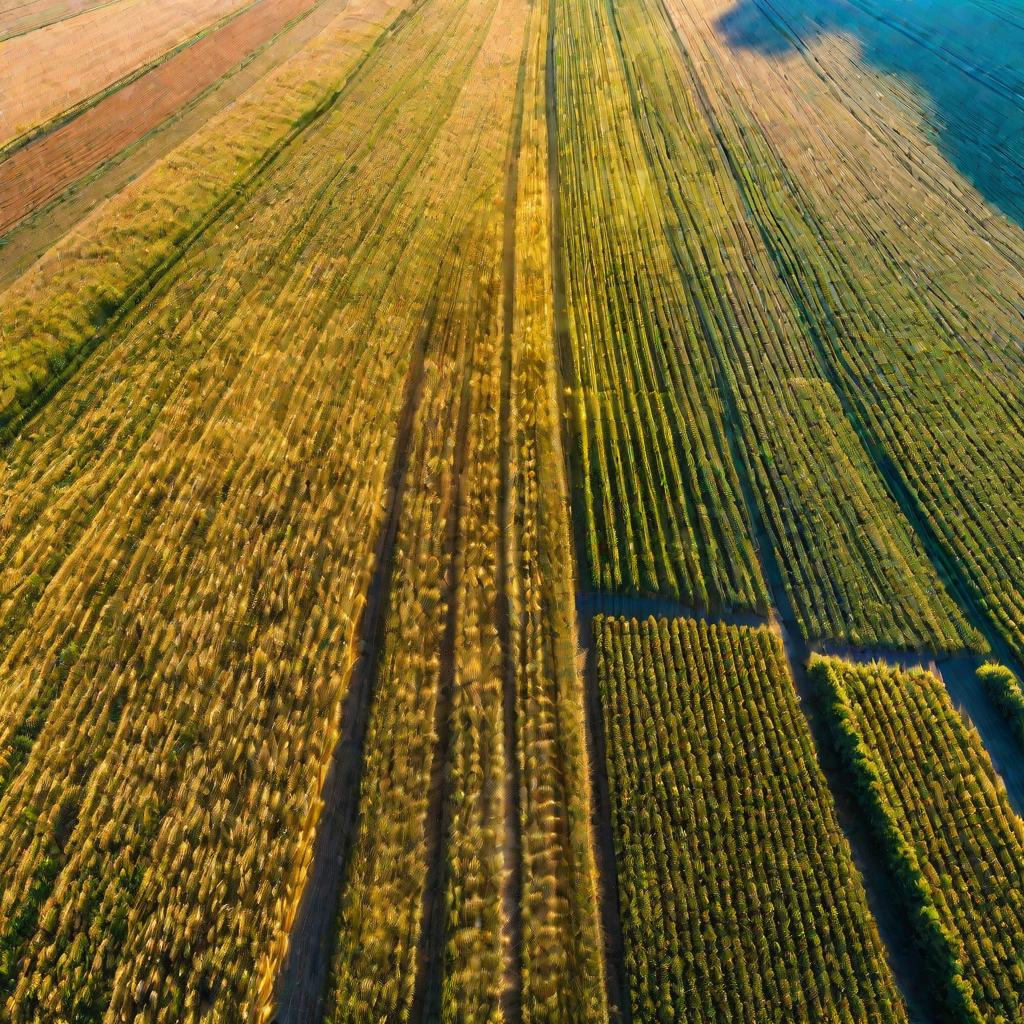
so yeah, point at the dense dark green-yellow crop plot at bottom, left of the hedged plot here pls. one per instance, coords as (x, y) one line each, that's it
(739, 894)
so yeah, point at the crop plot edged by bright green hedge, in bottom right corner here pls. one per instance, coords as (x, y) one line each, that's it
(953, 842)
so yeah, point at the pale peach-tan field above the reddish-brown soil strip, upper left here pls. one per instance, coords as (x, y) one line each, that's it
(52, 70)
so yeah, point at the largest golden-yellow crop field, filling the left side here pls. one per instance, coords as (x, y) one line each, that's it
(190, 541)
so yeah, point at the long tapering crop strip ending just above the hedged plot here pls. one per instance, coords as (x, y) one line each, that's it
(851, 565)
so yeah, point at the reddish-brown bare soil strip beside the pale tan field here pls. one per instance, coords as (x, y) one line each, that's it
(45, 168)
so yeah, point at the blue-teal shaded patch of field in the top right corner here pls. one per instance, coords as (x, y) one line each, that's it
(965, 58)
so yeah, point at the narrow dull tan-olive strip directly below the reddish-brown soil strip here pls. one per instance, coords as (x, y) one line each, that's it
(36, 234)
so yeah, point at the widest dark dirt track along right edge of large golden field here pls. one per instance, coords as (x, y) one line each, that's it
(304, 977)
